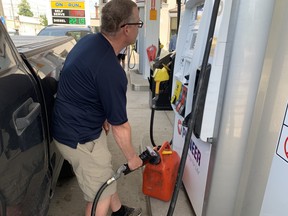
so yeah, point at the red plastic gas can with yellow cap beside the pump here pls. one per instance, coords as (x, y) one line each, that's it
(159, 180)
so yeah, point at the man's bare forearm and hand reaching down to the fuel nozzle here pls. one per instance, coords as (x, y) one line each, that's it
(122, 135)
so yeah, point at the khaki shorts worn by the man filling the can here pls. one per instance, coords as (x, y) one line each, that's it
(92, 165)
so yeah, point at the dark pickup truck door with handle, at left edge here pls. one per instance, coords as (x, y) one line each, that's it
(24, 175)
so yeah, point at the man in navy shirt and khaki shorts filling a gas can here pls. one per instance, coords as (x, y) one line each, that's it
(91, 97)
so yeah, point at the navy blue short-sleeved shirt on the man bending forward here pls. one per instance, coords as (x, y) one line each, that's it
(92, 88)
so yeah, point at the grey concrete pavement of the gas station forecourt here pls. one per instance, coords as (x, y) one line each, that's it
(68, 199)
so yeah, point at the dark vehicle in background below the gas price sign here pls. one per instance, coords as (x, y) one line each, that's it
(76, 32)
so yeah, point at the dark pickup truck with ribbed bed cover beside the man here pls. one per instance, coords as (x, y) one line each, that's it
(29, 161)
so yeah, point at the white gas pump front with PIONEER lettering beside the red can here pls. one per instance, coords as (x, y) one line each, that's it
(190, 50)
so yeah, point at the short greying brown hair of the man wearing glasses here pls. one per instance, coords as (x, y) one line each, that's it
(114, 14)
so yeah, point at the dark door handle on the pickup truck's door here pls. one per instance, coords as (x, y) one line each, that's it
(25, 115)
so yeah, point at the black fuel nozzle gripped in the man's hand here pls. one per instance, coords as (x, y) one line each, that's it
(148, 156)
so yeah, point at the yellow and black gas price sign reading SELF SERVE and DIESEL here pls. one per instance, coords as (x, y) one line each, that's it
(68, 12)
